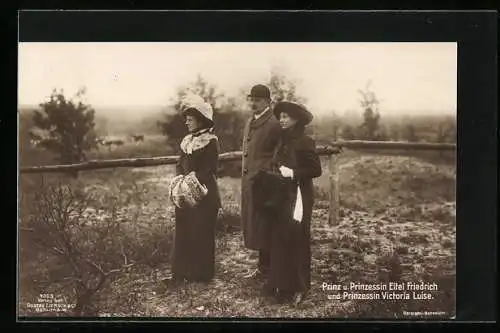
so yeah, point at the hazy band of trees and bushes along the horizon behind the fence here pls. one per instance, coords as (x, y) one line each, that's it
(70, 128)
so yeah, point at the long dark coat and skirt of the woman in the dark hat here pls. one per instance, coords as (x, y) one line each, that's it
(291, 241)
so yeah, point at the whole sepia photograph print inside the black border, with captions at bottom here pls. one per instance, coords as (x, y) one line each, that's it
(237, 180)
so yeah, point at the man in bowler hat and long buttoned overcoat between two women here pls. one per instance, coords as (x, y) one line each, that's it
(260, 138)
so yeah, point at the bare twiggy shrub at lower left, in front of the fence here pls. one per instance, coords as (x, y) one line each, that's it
(84, 246)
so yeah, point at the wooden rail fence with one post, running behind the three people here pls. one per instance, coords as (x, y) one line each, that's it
(331, 150)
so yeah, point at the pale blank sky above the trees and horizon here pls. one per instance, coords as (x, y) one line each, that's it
(405, 76)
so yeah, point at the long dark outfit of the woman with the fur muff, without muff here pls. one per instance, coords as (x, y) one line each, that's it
(193, 257)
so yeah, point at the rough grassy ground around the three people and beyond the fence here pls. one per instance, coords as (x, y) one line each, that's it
(397, 225)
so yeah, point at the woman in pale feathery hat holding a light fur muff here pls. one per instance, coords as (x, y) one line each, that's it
(195, 193)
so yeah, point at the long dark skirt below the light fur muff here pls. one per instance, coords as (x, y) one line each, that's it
(193, 256)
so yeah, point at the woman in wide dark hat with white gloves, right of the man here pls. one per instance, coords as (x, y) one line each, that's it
(298, 163)
